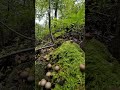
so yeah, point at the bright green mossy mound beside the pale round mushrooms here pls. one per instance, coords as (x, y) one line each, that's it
(68, 56)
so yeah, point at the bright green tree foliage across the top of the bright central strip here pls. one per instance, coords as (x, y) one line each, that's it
(70, 13)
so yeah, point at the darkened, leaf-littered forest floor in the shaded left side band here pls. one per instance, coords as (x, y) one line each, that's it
(14, 64)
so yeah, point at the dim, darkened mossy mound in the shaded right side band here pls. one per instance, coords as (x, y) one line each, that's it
(102, 70)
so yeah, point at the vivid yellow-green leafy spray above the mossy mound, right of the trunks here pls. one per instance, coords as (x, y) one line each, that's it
(73, 18)
